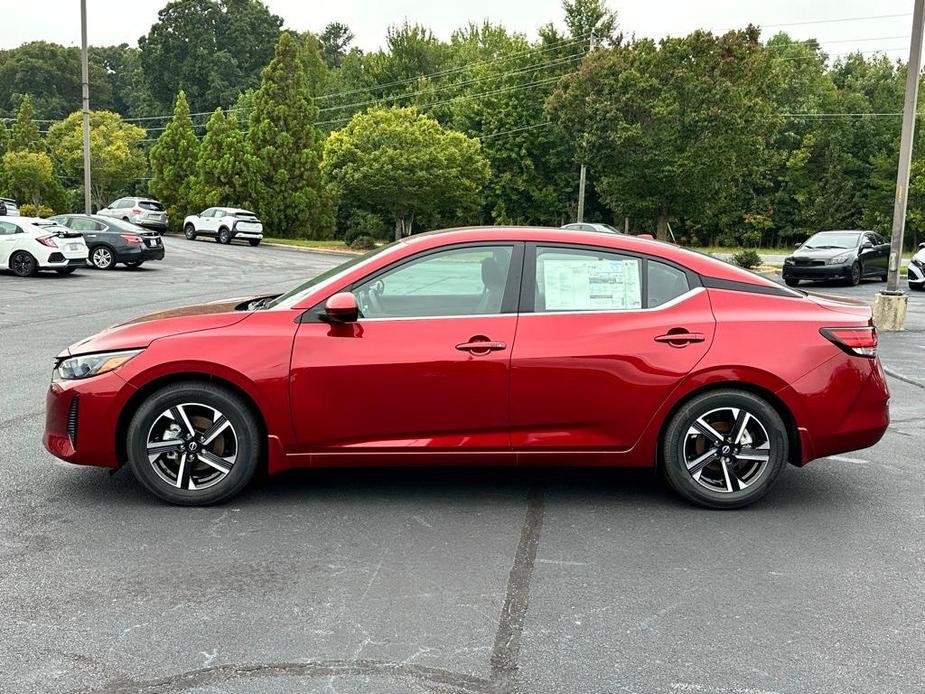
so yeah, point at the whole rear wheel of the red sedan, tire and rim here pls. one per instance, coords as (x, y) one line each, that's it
(717, 484)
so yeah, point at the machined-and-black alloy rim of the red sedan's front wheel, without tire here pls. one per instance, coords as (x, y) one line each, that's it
(192, 446)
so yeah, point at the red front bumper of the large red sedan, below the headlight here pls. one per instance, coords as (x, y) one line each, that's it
(81, 419)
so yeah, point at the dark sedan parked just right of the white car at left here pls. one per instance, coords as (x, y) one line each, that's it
(112, 241)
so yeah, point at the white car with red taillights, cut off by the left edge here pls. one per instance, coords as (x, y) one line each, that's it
(30, 244)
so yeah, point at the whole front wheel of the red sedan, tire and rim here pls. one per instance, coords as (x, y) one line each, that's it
(193, 444)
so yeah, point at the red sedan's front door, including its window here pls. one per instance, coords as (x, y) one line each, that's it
(425, 367)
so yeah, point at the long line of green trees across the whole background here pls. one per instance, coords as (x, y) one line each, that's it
(732, 139)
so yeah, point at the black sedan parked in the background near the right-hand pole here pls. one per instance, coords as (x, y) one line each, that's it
(849, 256)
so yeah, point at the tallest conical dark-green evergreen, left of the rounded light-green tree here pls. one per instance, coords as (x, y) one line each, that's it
(284, 149)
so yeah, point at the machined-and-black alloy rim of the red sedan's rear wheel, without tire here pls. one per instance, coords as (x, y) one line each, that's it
(727, 449)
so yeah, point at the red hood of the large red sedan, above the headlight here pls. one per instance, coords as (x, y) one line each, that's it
(141, 332)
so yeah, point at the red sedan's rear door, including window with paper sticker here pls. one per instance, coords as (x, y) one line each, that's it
(603, 339)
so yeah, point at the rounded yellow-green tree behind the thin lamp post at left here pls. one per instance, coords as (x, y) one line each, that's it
(116, 155)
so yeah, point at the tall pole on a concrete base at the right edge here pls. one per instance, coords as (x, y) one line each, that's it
(890, 304)
